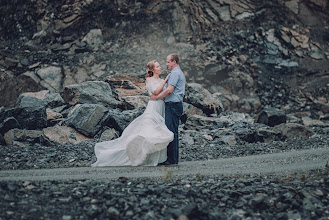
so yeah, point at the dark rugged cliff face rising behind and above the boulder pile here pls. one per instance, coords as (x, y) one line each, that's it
(255, 53)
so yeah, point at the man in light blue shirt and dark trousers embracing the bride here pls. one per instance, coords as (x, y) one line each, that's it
(173, 95)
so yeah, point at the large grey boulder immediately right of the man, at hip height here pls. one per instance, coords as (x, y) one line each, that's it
(201, 98)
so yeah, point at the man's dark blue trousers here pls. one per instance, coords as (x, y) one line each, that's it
(172, 114)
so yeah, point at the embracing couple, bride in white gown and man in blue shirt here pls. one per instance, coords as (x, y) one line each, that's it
(152, 138)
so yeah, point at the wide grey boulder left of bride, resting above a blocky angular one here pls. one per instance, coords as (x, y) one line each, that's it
(90, 92)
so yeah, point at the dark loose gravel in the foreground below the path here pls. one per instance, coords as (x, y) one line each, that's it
(275, 196)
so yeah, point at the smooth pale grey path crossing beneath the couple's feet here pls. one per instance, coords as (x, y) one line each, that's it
(292, 161)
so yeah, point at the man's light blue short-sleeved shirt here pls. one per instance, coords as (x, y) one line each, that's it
(178, 80)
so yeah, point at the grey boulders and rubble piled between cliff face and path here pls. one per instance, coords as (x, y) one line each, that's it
(60, 130)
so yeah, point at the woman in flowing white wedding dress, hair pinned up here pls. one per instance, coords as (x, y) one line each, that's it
(144, 141)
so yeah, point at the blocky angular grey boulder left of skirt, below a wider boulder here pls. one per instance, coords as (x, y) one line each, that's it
(86, 119)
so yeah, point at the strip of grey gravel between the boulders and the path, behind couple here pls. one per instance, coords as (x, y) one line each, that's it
(36, 156)
